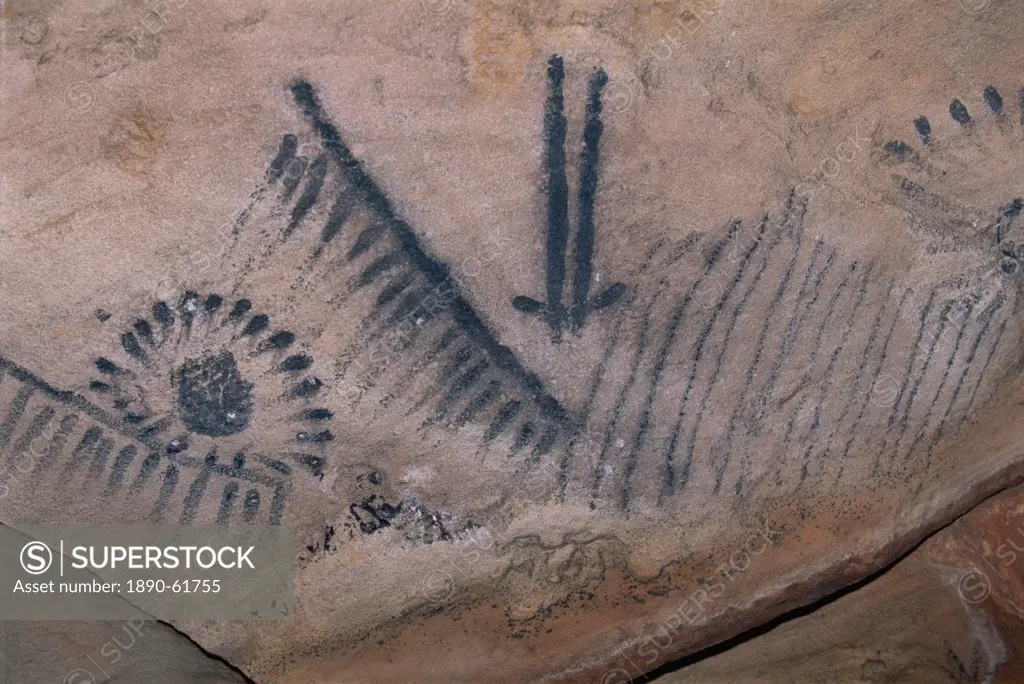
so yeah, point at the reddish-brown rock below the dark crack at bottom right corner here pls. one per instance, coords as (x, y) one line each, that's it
(948, 613)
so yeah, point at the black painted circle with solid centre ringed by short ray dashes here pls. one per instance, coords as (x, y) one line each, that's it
(208, 376)
